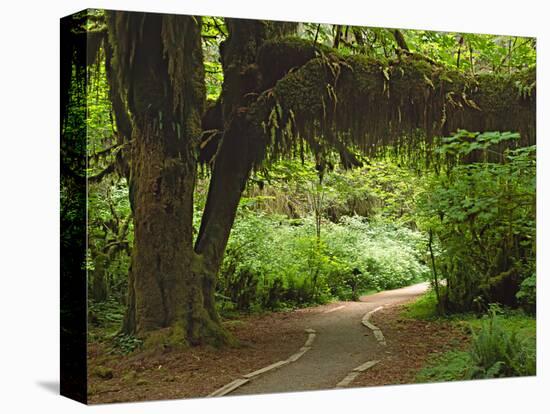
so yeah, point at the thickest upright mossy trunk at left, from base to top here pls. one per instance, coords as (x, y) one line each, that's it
(159, 63)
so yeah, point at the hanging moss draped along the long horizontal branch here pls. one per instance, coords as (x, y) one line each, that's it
(371, 104)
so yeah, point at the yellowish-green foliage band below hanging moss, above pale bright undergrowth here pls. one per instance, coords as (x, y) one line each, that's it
(379, 188)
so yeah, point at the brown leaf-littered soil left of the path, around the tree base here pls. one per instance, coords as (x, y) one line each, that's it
(193, 372)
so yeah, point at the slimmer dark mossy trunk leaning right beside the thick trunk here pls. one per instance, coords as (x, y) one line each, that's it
(240, 142)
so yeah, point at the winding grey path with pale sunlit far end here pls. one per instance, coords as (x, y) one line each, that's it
(342, 344)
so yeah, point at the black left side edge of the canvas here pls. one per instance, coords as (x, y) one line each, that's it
(73, 235)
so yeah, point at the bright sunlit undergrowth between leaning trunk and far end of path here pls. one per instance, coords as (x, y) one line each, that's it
(274, 262)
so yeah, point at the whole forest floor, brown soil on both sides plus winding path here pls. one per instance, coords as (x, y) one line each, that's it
(342, 343)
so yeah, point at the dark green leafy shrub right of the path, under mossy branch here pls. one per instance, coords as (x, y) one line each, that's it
(483, 215)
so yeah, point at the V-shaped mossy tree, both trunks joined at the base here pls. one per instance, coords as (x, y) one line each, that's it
(157, 70)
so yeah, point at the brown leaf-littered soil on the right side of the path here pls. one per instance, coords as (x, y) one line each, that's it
(410, 343)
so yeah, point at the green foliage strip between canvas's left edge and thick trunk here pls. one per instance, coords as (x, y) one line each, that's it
(110, 227)
